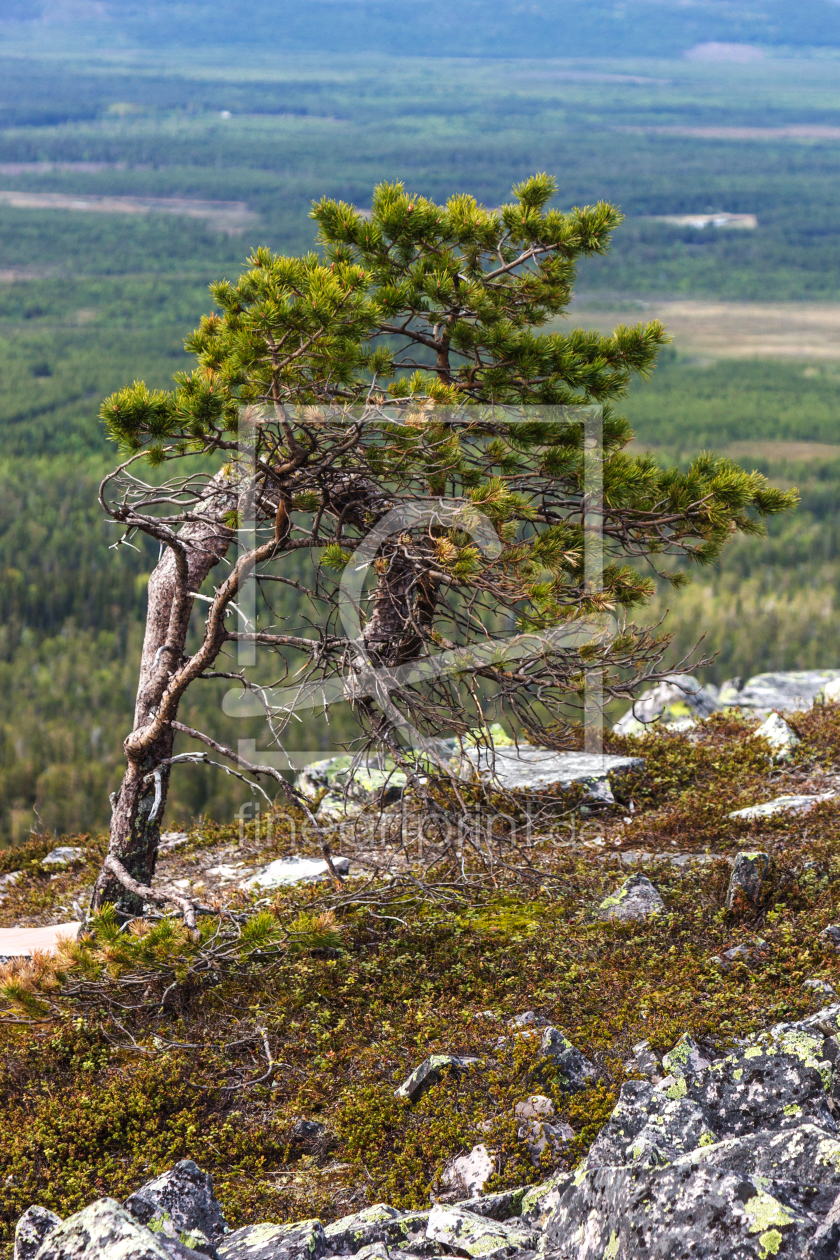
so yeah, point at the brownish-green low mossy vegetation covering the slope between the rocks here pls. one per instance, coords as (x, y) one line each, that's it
(140, 1048)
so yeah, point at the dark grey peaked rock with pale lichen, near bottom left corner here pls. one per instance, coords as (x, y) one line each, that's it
(181, 1204)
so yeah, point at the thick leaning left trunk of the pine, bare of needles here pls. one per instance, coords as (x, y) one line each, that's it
(140, 803)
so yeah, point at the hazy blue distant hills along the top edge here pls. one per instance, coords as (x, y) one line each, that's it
(465, 28)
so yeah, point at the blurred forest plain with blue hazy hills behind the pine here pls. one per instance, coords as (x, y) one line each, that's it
(217, 125)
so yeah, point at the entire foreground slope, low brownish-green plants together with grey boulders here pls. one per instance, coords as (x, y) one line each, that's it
(630, 1053)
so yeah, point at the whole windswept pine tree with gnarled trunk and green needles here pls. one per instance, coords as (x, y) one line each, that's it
(402, 400)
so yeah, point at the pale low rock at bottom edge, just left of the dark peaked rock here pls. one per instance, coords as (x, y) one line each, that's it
(106, 1232)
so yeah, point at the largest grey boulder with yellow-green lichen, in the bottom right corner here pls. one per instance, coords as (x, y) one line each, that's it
(735, 1159)
